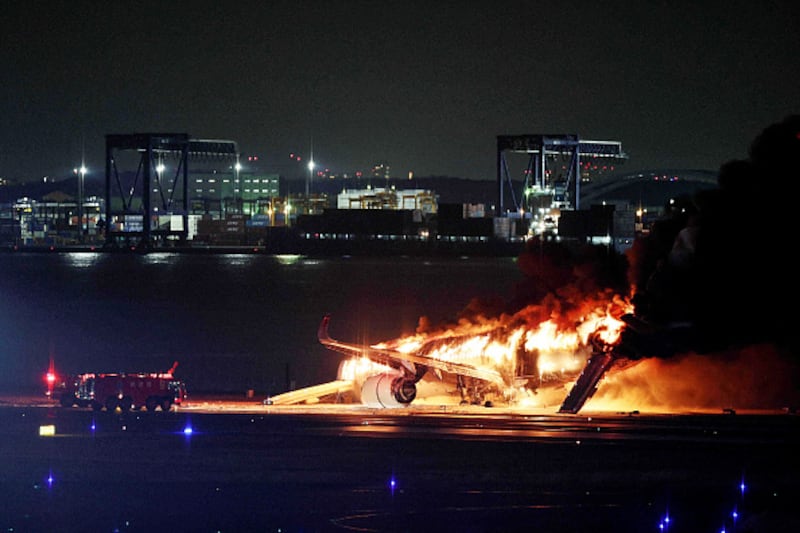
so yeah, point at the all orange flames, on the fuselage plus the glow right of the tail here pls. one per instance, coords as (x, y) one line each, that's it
(558, 346)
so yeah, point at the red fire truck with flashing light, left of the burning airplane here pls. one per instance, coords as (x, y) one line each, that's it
(125, 391)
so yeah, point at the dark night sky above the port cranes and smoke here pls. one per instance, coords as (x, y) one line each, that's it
(424, 86)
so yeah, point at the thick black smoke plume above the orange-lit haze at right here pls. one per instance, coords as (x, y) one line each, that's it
(721, 260)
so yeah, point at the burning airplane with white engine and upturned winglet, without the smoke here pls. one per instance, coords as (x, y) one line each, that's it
(505, 359)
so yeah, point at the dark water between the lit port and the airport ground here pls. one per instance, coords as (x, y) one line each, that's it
(233, 322)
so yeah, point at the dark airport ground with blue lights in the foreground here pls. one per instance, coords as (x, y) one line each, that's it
(245, 466)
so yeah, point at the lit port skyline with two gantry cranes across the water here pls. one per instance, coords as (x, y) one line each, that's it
(169, 190)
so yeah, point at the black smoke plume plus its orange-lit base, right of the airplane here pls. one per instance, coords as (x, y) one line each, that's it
(712, 286)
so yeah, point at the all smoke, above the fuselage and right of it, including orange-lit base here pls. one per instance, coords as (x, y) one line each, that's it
(710, 286)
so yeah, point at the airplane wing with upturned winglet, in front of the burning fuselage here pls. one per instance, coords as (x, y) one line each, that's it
(407, 362)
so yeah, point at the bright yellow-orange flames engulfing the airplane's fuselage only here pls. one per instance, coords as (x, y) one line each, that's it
(544, 344)
